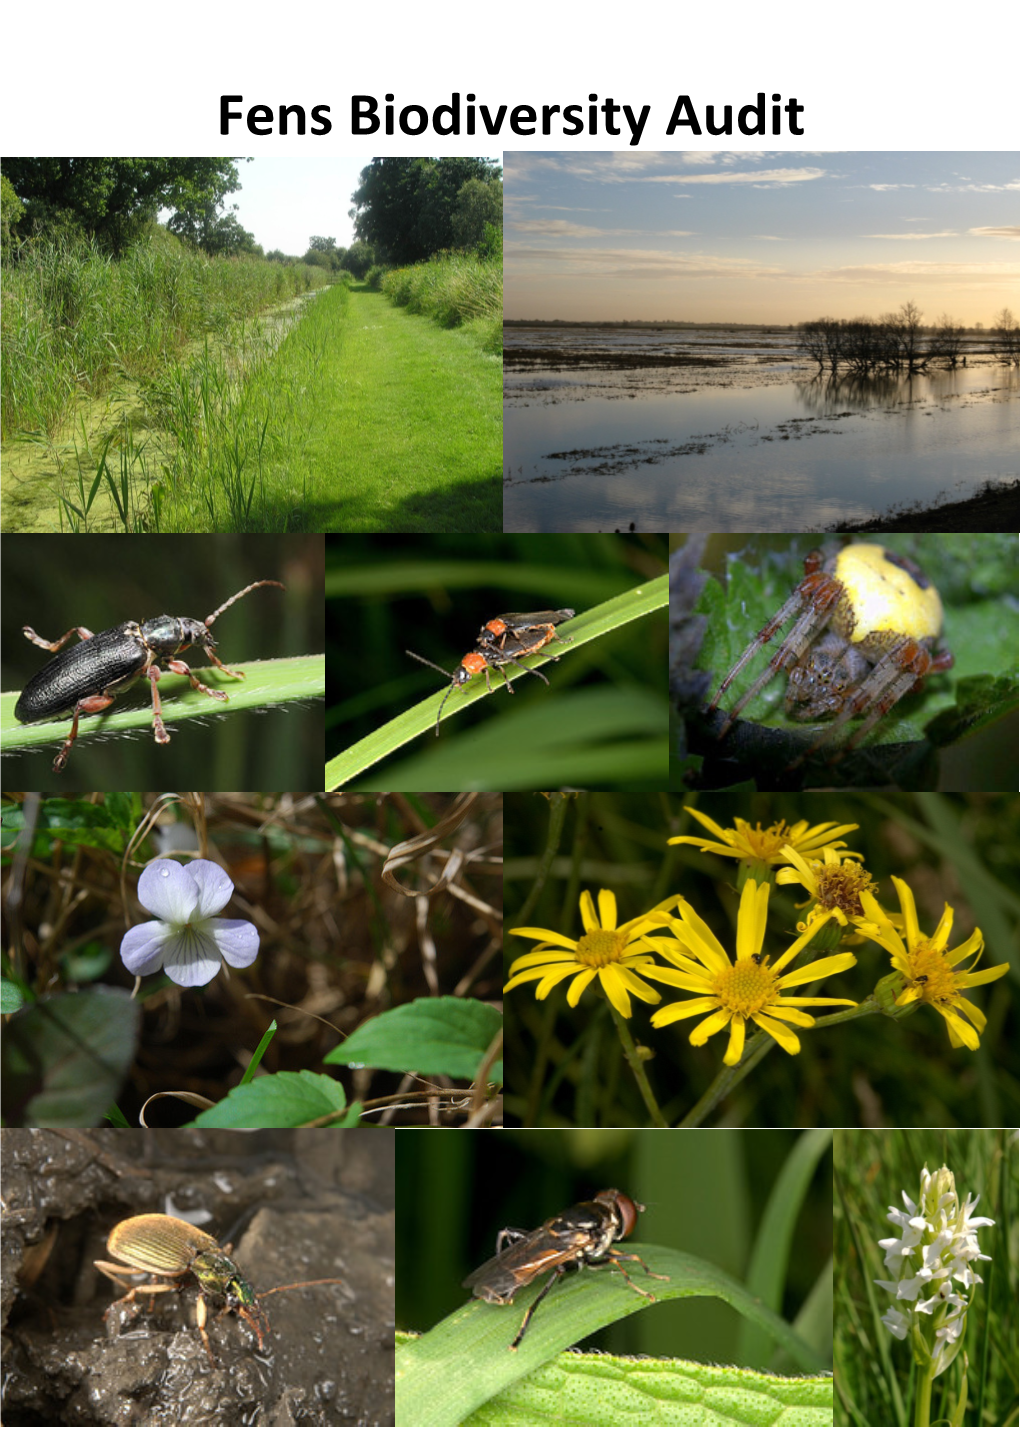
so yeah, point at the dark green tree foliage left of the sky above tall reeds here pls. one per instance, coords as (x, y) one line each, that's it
(113, 198)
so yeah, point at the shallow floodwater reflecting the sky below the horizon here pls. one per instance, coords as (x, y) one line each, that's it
(735, 434)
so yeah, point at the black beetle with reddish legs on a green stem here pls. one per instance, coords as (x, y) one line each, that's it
(87, 679)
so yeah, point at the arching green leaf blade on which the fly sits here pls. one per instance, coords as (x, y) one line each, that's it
(435, 1389)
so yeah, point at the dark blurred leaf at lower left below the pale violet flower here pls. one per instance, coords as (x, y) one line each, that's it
(66, 1058)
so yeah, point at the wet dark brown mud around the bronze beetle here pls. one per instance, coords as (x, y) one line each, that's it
(296, 1206)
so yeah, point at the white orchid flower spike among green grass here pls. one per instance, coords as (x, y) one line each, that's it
(931, 1266)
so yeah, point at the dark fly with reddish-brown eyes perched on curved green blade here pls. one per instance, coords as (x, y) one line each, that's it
(578, 1237)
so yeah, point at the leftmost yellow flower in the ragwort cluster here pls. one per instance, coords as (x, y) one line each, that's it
(611, 953)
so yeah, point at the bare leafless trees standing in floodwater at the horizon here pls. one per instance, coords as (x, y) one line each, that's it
(898, 341)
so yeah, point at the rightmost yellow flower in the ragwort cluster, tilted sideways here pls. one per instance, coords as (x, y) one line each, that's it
(930, 969)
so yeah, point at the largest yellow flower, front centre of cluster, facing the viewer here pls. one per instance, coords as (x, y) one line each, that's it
(747, 989)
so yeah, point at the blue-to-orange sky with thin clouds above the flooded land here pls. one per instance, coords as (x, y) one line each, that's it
(761, 237)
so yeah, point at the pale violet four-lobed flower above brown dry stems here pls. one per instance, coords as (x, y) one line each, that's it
(191, 943)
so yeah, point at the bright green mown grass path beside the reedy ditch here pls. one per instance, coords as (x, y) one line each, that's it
(396, 425)
